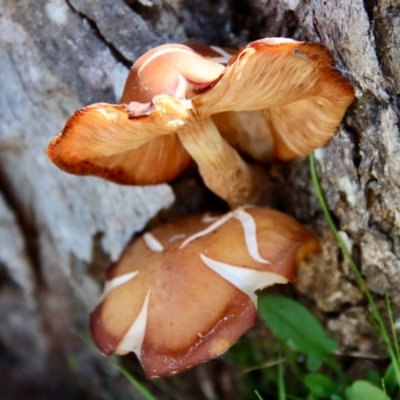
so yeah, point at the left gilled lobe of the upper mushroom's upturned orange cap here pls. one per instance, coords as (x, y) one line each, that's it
(100, 140)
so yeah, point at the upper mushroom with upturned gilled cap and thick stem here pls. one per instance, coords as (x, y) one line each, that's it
(273, 98)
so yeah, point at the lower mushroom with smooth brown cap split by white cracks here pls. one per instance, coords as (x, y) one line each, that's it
(184, 292)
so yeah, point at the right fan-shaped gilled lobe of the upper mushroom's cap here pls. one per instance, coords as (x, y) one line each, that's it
(288, 101)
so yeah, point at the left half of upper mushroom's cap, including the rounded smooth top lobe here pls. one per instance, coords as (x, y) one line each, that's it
(107, 140)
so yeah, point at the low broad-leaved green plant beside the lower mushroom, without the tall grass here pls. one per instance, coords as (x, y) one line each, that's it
(315, 370)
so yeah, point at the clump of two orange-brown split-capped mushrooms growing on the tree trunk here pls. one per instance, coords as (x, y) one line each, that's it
(184, 292)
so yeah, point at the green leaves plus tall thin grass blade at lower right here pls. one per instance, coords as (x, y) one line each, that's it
(319, 376)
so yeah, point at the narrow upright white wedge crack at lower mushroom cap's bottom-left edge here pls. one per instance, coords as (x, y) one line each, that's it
(133, 339)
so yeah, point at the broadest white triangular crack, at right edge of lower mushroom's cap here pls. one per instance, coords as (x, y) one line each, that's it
(245, 279)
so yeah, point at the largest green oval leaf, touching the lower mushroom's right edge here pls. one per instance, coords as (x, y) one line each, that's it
(297, 327)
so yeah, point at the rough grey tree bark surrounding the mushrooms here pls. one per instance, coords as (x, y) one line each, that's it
(58, 232)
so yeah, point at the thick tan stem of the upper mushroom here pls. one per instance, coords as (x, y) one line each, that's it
(223, 170)
